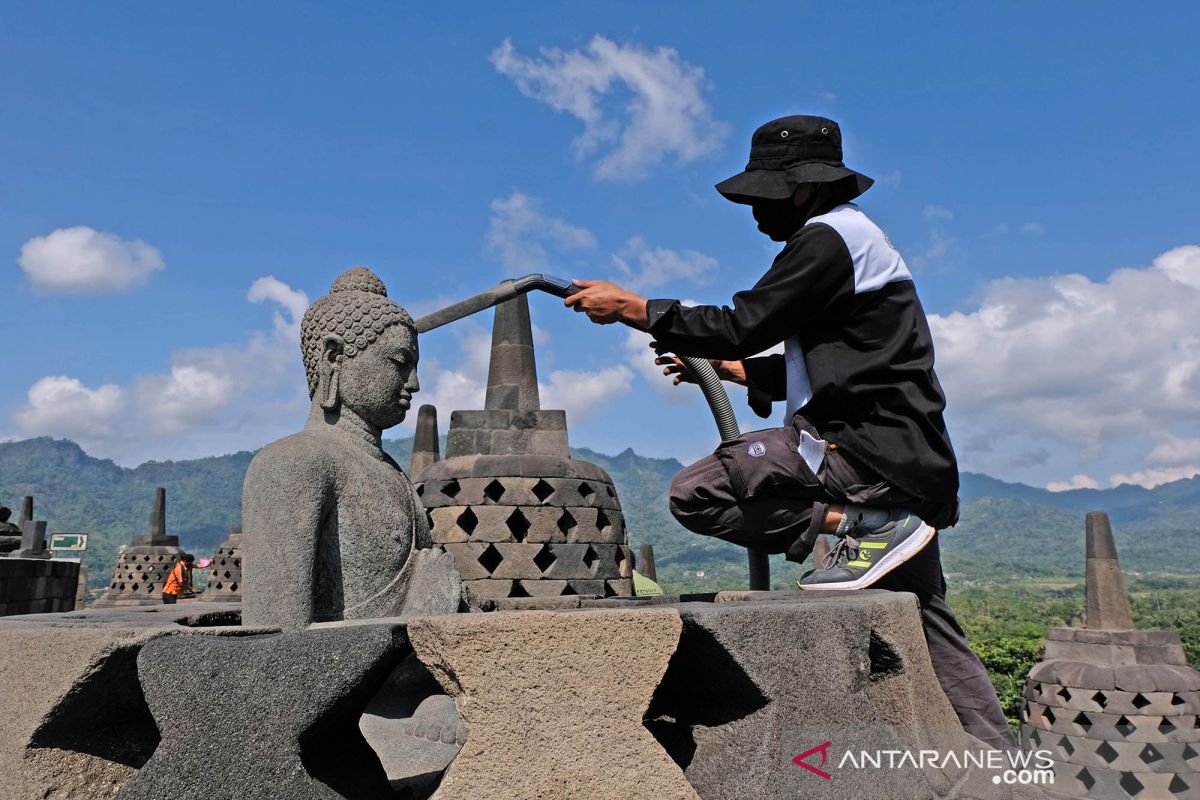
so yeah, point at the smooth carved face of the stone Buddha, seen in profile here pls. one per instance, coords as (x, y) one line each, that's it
(380, 382)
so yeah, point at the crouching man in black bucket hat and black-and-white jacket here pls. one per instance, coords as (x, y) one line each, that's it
(865, 455)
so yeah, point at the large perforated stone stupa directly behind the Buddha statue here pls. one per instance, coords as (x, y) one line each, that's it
(520, 516)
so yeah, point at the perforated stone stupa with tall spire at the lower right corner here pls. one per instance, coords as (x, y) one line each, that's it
(1119, 708)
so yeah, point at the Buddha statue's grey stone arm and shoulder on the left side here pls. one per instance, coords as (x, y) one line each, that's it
(285, 504)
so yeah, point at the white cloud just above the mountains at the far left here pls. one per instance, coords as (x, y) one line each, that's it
(59, 406)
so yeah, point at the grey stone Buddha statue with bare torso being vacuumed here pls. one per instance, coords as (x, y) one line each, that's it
(332, 525)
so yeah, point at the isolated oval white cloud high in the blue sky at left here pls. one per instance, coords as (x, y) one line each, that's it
(83, 261)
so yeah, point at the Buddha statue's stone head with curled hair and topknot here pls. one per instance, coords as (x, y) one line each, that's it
(361, 351)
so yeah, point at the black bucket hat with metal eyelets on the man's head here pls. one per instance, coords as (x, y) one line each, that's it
(790, 152)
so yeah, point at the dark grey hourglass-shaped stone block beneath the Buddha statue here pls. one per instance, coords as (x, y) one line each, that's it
(283, 714)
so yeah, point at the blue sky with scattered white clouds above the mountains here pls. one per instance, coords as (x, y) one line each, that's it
(1036, 165)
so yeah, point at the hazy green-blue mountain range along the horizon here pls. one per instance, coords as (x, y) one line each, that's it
(1007, 531)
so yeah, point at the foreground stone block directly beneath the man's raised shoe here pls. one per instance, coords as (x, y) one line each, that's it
(741, 699)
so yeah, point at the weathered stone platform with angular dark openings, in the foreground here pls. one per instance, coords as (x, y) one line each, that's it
(609, 699)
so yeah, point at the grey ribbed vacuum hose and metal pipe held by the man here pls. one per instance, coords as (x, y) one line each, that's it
(706, 376)
